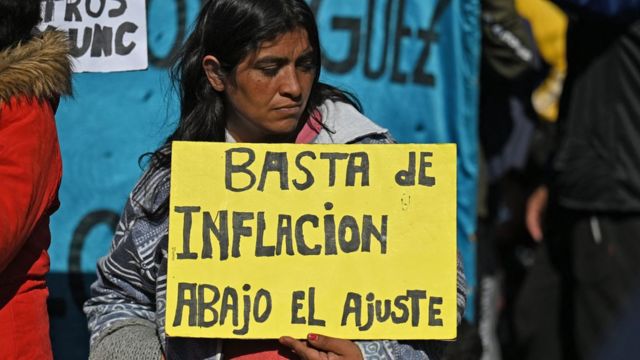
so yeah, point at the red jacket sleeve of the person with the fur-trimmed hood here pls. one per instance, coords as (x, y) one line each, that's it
(30, 171)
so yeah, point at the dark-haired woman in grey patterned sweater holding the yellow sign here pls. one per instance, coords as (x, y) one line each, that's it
(248, 73)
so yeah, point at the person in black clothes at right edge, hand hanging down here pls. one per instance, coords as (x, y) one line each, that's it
(592, 200)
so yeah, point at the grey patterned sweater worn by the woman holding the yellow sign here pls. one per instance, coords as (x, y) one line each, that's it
(126, 311)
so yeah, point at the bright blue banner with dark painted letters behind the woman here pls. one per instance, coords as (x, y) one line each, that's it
(412, 63)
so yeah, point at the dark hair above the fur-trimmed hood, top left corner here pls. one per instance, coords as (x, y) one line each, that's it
(18, 18)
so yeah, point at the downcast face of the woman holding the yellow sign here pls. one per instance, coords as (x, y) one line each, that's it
(265, 97)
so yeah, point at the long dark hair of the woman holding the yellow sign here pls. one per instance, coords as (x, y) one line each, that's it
(230, 30)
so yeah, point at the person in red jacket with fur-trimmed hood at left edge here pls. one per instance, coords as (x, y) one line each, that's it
(34, 71)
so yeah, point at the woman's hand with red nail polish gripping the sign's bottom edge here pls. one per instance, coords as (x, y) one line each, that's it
(320, 347)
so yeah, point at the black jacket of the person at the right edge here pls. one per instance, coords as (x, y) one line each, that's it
(597, 165)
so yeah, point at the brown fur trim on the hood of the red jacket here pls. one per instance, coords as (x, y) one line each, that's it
(40, 67)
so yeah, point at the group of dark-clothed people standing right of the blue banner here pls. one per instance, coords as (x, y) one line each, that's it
(557, 235)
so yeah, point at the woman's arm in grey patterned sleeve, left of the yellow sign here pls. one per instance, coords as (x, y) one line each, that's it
(122, 308)
